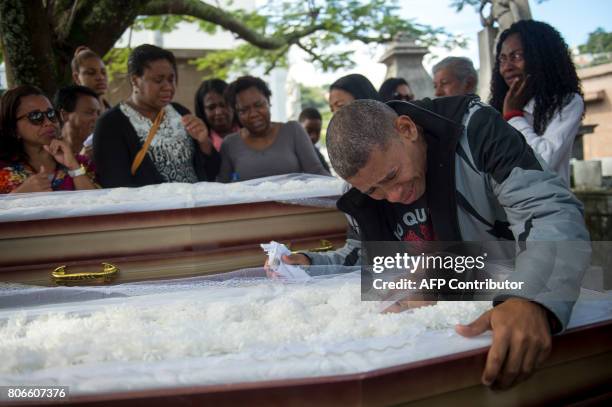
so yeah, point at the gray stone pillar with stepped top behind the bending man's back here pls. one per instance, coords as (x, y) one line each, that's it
(404, 59)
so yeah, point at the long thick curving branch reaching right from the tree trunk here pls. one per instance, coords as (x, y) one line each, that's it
(215, 15)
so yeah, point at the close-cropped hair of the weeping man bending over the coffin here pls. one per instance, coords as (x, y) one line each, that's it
(355, 130)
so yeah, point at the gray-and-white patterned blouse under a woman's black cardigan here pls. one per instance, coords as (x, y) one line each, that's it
(172, 148)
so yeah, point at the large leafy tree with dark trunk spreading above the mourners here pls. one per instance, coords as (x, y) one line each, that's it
(39, 37)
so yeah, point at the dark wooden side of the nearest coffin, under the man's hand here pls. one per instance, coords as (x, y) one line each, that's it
(579, 370)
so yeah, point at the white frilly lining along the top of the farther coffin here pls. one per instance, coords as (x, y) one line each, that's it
(306, 189)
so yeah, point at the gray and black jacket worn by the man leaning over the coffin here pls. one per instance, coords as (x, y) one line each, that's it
(484, 183)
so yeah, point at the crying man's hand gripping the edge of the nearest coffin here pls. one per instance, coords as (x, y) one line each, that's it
(521, 340)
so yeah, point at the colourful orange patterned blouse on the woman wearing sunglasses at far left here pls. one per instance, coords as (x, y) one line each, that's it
(13, 174)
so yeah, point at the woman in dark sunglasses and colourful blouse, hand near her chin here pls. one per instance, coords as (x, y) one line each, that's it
(32, 158)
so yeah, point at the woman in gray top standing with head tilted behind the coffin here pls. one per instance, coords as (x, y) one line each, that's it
(263, 148)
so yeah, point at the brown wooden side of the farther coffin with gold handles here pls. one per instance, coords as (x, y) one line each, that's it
(186, 242)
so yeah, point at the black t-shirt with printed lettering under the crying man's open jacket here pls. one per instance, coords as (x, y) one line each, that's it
(413, 222)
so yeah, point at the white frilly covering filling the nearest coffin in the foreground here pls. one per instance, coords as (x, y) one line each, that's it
(230, 328)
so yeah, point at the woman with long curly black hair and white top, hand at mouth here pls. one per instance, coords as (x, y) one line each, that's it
(536, 87)
